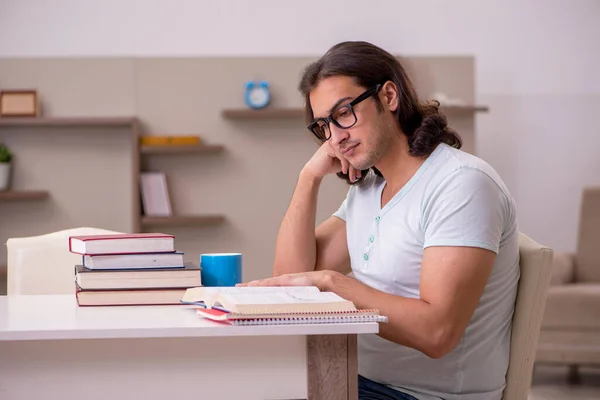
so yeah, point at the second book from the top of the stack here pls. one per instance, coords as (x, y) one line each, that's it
(133, 261)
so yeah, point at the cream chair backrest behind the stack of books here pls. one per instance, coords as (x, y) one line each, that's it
(43, 264)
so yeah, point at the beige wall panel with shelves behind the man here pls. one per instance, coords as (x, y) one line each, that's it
(84, 149)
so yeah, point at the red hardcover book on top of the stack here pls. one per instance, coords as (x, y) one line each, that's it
(122, 243)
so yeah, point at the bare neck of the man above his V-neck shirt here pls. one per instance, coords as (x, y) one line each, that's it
(398, 166)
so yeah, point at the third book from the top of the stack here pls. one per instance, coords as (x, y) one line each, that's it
(184, 277)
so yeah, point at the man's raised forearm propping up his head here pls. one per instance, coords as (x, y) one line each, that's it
(296, 249)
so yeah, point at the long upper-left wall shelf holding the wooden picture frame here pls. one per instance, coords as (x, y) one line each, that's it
(68, 121)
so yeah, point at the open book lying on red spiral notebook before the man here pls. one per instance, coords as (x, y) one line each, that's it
(276, 305)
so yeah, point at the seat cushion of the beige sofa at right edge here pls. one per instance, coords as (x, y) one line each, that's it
(575, 305)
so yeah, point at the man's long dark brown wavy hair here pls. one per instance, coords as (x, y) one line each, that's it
(422, 122)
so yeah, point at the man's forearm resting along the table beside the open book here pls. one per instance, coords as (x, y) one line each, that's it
(412, 322)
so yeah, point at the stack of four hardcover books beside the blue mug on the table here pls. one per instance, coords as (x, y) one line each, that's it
(131, 269)
